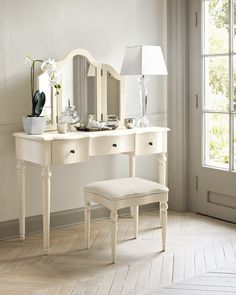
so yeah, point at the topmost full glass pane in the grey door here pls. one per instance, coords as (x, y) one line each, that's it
(216, 26)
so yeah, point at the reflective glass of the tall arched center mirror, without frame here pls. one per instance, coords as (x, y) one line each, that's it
(79, 86)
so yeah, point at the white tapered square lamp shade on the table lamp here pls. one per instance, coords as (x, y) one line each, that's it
(143, 60)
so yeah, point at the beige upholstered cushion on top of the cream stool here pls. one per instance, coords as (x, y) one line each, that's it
(123, 188)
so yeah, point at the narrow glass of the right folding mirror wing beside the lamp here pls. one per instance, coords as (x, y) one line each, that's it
(113, 96)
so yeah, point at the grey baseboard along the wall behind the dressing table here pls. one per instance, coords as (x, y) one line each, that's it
(10, 229)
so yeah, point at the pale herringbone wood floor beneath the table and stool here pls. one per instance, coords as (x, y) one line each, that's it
(200, 259)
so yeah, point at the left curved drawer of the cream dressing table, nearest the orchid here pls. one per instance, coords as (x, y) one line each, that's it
(70, 151)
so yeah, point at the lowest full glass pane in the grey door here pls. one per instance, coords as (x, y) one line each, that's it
(217, 140)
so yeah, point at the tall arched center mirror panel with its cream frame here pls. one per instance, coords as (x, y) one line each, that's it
(80, 85)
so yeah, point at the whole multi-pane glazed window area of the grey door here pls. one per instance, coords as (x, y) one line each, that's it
(219, 83)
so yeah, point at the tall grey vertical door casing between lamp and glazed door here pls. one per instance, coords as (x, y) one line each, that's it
(178, 104)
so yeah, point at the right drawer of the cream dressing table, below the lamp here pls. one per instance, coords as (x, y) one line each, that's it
(150, 143)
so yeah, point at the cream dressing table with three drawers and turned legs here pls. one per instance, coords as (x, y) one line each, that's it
(52, 148)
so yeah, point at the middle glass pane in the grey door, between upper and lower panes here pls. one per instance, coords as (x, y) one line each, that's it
(216, 83)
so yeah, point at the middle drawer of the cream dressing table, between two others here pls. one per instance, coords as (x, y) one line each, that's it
(107, 145)
